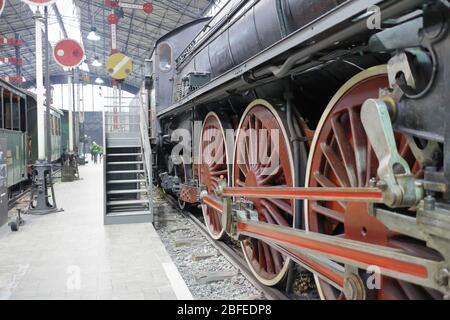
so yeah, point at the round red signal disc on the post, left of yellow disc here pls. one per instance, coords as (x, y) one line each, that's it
(68, 53)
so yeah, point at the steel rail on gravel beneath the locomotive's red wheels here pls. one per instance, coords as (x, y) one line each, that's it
(232, 255)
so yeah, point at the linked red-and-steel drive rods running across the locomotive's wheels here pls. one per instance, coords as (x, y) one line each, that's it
(318, 249)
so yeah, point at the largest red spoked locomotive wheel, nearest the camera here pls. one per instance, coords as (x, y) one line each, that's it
(341, 156)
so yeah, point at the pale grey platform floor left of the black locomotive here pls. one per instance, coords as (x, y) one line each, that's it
(72, 255)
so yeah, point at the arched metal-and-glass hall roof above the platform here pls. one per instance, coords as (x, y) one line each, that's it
(137, 33)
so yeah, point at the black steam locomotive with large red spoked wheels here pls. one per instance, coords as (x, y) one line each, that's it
(358, 92)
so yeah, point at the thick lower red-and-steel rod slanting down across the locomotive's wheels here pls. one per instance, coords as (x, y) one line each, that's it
(390, 262)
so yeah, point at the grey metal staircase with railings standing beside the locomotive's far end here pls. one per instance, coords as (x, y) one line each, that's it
(128, 164)
